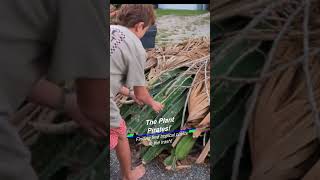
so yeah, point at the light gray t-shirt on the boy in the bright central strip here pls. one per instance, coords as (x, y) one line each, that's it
(127, 63)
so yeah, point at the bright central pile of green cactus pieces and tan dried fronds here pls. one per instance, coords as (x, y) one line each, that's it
(178, 75)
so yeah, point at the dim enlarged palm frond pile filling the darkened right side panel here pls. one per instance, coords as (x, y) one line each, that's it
(266, 88)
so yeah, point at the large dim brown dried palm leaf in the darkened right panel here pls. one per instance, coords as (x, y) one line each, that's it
(283, 109)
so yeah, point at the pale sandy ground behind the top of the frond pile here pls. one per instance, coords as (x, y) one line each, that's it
(172, 29)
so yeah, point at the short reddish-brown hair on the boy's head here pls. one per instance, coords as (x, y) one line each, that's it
(130, 14)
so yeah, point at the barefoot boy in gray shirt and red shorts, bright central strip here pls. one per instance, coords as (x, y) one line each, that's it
(127, 64)
